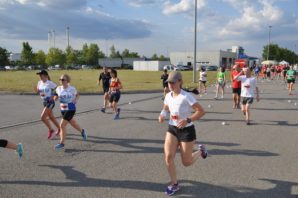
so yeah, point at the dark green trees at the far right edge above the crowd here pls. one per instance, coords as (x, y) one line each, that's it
(279, 54)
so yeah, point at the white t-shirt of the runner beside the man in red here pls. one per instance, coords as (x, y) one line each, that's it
(248, 85)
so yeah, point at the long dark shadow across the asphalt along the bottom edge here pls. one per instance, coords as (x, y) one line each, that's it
(188, 188)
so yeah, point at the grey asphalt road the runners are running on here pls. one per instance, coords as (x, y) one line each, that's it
(124, 158)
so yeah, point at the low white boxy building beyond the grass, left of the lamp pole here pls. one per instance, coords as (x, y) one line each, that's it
(149, 65)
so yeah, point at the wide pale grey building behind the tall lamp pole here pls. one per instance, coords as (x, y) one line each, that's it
(217, 58)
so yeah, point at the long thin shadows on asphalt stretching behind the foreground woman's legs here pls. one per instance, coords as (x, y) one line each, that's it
(135, 146)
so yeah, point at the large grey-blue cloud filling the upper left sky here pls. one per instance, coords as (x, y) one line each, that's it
(28, 19)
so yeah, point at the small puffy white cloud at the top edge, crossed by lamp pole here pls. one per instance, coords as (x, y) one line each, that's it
(182, 7)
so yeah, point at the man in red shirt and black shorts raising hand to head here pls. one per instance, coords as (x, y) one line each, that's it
(236, 86)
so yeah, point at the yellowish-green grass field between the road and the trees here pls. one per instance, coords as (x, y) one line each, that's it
(86, 80)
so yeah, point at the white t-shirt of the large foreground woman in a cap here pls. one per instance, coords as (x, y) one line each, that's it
(180, 107)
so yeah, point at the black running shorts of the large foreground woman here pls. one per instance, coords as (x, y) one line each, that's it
(187, 134)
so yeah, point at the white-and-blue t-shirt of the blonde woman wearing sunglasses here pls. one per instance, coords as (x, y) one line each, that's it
(67, 97)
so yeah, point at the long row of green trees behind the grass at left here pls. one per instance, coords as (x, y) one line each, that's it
(88, 55)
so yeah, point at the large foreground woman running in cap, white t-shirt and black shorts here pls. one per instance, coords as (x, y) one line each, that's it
(181, 132)
